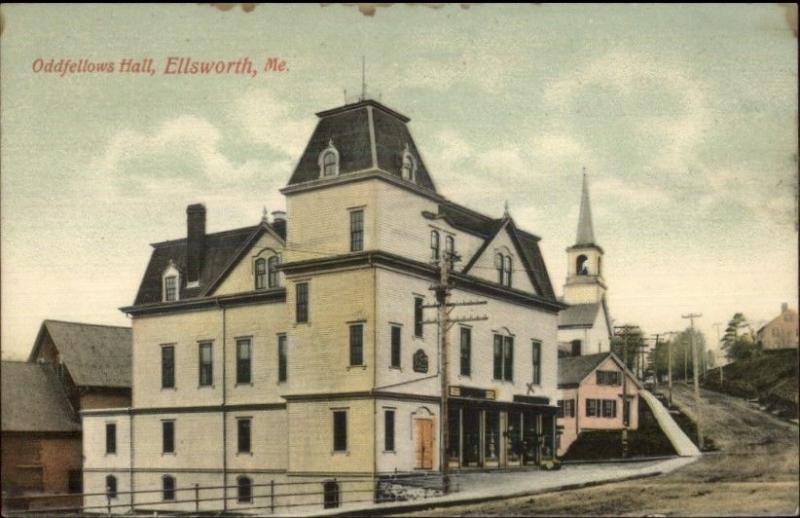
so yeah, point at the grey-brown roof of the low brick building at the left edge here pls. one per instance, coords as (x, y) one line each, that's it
(33, 399)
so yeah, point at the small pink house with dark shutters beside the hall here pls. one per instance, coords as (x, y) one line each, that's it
(590, 396)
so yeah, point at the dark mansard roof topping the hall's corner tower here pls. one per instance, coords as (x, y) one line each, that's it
(348, 127)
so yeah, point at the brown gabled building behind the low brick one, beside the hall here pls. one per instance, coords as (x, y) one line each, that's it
(92, 361)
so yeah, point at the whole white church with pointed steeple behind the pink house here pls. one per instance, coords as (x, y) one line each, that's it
(585, 327)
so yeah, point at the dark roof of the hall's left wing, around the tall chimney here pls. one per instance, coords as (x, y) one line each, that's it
(221, 251)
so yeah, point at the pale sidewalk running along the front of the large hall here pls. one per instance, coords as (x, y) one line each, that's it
(486, 486)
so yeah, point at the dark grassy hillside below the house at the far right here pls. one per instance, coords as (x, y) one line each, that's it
(771, 377)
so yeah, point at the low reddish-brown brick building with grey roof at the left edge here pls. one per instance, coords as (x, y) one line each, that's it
(41, 433)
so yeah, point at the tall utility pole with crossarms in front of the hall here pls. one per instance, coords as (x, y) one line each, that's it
(444, 307)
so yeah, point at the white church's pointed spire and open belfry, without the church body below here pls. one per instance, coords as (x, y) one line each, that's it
(585, 283)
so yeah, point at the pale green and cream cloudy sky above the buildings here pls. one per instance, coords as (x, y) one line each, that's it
(684, 116)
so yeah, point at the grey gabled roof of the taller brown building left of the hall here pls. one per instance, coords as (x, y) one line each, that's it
(95, 355)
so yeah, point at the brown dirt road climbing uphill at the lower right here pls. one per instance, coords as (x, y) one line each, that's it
(754, 473)
